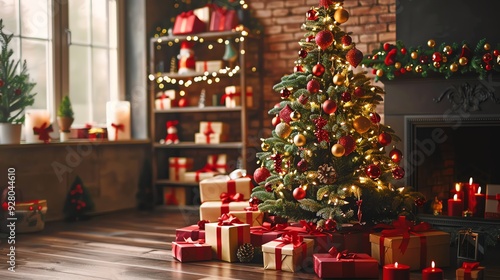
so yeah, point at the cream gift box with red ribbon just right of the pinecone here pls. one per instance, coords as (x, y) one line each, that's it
(279, 255)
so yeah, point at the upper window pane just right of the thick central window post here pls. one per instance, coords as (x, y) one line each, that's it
(79, 21)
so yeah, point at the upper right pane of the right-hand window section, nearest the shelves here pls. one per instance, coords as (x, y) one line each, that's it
(99, 23)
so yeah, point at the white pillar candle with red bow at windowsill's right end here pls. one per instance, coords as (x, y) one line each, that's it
(118, 120)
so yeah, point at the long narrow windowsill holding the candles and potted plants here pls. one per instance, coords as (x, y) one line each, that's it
(77, 142)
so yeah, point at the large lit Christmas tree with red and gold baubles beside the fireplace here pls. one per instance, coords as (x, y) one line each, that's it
(329, 159)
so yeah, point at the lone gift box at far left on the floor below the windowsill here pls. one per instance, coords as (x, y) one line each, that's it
(30, 215)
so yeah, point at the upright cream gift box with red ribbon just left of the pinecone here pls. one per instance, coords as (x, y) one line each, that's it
(226, 239)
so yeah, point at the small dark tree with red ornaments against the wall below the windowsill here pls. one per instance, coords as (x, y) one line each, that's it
(78, 201)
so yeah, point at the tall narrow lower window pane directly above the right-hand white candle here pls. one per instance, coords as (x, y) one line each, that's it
(100, 88)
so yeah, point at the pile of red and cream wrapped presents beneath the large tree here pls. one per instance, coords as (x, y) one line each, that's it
(230, 218)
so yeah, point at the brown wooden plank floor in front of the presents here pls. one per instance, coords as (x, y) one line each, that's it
(131, 245)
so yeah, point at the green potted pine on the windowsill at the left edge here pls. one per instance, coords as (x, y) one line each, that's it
(15, 92)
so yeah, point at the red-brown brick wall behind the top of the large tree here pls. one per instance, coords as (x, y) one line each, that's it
(371, 21)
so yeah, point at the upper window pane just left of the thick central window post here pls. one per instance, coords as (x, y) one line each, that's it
(34, 18)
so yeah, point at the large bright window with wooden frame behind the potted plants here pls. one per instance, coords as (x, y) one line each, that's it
(71, 48)
